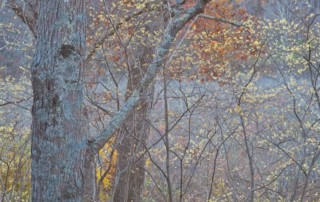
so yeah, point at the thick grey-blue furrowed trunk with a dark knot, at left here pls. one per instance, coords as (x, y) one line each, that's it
(62, 167)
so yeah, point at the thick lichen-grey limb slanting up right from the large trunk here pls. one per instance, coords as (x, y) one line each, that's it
(174, 26)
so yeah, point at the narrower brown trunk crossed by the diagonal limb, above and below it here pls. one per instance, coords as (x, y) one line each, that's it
(132, 138)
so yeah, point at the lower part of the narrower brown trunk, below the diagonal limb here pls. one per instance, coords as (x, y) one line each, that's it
(130, 168)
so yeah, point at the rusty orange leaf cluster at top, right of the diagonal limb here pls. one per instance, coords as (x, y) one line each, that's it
(217, 41)
